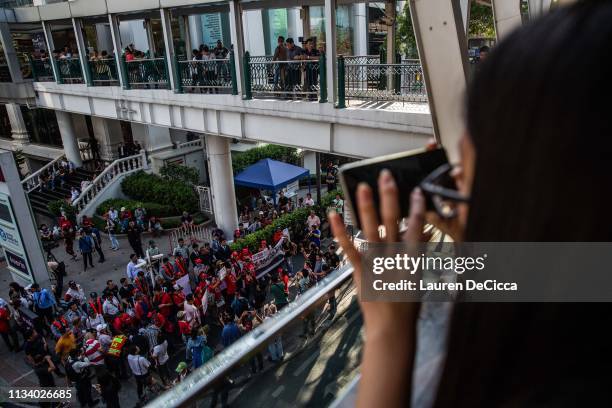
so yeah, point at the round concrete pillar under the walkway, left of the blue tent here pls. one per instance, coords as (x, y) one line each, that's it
(222, 183)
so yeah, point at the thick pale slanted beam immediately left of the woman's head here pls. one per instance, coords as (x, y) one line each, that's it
(442, 47)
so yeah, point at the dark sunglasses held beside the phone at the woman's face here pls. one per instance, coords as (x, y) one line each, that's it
(439, 186)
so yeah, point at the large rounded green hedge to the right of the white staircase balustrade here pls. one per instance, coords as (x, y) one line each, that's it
(151, 188)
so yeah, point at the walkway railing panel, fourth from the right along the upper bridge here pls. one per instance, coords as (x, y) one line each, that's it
(151, 73)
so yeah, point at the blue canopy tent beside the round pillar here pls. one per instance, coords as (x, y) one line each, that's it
(268, 174)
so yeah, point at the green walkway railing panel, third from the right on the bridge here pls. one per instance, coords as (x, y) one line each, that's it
(205, 76)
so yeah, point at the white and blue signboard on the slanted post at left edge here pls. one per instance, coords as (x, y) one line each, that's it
(10, 239)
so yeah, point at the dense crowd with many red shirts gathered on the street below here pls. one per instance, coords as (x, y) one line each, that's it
(165, 303)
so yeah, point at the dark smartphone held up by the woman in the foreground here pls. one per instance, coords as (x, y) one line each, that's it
(408, 169)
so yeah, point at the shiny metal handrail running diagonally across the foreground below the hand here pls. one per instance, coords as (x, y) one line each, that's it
(211, 376)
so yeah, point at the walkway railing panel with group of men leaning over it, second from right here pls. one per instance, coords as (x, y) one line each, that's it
(301, 79)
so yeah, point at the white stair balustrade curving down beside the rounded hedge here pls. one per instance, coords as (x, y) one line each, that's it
(111, 172)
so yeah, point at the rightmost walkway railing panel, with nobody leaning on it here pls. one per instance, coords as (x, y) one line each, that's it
(401, 82)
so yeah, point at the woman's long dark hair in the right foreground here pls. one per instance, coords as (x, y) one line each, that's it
(539, 117)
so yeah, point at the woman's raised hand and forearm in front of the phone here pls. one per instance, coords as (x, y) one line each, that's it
(390, 327)
